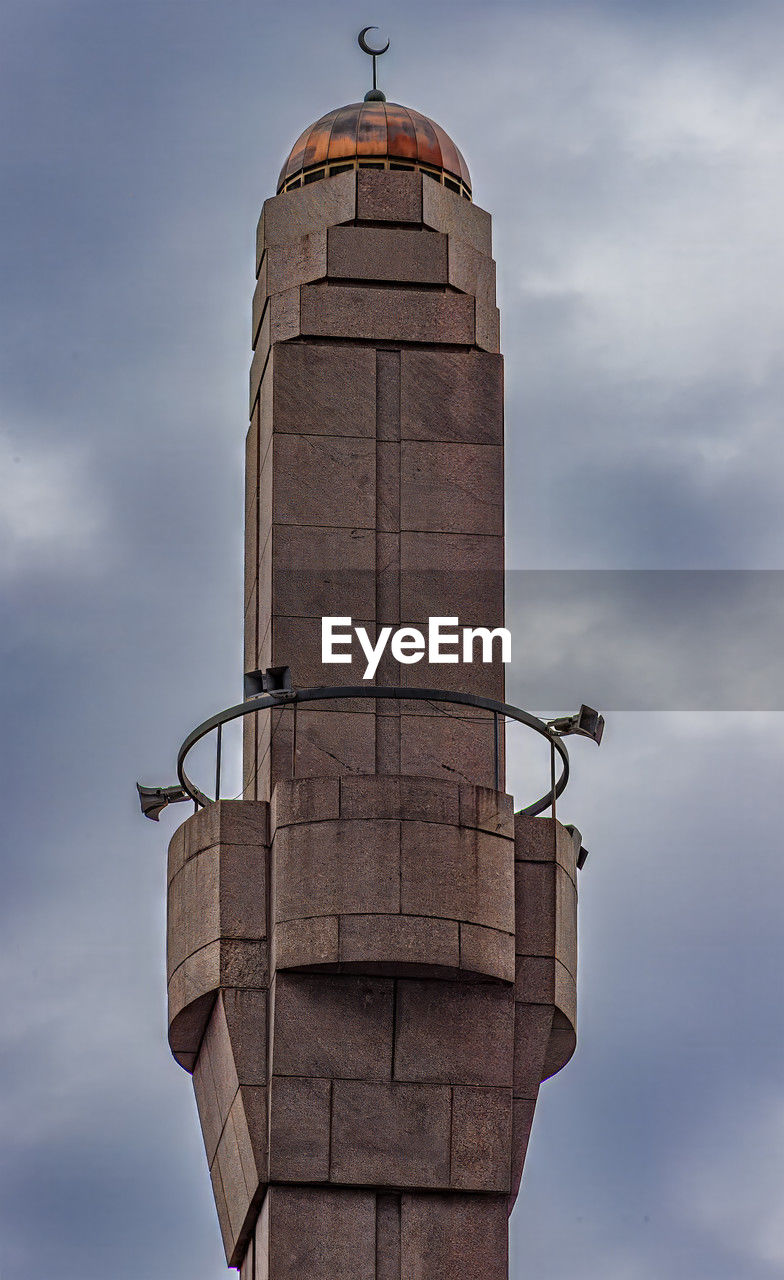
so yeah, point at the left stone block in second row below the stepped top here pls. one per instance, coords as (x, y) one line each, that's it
(326, 482)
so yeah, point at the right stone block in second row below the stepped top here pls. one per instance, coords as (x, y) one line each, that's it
(453, 488)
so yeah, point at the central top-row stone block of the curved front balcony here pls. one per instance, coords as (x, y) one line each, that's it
(400, 797)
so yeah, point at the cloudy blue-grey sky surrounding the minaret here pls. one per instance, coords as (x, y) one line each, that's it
(632, 157)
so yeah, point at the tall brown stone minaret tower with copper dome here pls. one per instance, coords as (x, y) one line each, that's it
(372, 959)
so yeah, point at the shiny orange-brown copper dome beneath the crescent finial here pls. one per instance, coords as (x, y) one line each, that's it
(380, 136)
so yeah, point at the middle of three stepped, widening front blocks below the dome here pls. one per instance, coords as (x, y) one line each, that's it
(381, 254)
